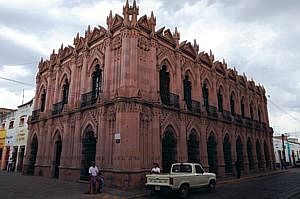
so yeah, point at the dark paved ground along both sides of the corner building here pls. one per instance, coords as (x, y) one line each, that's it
(279, 186)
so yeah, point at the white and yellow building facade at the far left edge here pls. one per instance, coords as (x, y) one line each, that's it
(14, 128)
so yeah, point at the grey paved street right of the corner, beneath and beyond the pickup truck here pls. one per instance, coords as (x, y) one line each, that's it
(280, 186)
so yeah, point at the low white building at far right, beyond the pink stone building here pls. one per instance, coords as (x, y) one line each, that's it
(291, 152)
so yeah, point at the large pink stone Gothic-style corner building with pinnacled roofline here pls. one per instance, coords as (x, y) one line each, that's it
(129, 95)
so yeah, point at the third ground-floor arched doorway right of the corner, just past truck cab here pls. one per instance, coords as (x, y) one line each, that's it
(212, 153)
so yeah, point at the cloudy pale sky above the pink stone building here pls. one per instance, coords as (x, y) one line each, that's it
(259, 38)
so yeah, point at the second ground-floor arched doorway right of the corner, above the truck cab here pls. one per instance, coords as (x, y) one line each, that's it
(193, 147)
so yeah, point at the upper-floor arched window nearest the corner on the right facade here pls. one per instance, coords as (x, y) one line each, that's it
(164, 85)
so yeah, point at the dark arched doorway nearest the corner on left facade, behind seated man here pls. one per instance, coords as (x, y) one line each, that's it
(88, 153)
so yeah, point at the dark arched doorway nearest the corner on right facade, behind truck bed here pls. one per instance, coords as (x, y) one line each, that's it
(169, 151)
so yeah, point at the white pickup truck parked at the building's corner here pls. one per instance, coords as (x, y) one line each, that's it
(182, 178)
